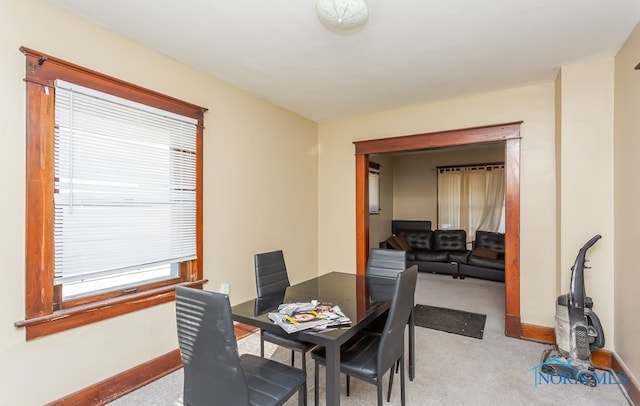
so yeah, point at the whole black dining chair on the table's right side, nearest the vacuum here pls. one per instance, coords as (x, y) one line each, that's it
(369, 356)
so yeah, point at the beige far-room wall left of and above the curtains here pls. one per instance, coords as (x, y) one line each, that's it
(415, 185)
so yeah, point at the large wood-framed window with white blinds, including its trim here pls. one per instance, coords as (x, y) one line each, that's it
(114, 196)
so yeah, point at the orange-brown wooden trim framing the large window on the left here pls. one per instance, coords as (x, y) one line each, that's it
(44, 314)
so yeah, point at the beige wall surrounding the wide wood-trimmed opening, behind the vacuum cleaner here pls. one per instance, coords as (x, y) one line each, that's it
(567, 134)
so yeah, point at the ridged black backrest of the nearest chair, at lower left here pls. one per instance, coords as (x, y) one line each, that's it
(212, 369)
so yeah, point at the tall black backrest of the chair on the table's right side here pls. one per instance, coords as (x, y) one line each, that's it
(392, 340)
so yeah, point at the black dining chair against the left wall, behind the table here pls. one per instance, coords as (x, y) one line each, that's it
(272, 279)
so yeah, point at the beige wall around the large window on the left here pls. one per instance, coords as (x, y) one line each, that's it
(260, 193)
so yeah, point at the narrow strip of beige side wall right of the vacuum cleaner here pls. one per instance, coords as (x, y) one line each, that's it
(627, 200)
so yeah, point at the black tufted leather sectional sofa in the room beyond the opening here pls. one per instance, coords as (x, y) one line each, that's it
(445, 251)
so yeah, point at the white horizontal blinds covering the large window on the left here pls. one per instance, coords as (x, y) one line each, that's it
(125, 185)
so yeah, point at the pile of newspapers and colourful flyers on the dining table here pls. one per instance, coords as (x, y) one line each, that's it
(294, 317)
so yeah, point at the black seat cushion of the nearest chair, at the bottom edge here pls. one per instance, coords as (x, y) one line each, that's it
(269, 382)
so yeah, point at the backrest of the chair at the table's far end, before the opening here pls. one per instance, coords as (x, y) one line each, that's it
(382, 268)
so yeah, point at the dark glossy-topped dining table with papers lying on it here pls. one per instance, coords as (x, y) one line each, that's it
(358, 296)
